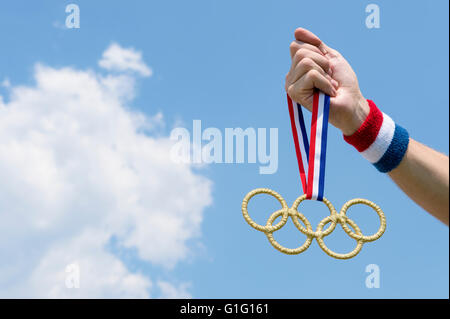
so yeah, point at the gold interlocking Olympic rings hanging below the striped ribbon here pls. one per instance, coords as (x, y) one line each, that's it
(334, 218)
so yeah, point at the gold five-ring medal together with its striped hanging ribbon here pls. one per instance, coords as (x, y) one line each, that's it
(311, 155)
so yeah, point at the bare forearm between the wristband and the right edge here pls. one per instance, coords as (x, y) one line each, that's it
(423, 175)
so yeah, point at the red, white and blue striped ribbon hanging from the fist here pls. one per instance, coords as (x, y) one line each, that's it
(311, 155)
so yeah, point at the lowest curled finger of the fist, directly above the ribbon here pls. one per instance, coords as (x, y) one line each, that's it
(306, 84)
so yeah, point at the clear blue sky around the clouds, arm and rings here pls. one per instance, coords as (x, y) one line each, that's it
(224, 62)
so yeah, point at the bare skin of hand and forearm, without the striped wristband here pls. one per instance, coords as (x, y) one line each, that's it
(423, 173)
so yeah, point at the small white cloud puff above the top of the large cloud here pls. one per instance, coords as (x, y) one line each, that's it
(116, 58)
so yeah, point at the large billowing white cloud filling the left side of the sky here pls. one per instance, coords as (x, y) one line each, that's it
(75, 170)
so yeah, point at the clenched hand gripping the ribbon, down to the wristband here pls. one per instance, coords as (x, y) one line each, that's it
(315, 65)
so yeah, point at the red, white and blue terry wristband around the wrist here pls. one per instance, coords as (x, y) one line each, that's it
(380, 140)
